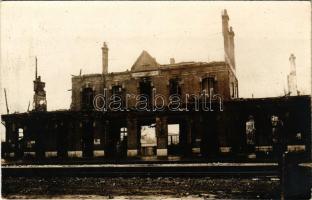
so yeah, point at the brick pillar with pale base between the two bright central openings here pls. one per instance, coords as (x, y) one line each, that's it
(162, 136)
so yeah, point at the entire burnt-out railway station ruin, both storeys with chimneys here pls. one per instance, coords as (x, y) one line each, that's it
(86, 130)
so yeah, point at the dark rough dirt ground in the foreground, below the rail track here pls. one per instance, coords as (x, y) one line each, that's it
(140, 188)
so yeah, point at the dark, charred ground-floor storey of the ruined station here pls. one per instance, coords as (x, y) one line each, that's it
(65, 132)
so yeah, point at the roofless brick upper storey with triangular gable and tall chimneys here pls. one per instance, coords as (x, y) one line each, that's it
(146, 74)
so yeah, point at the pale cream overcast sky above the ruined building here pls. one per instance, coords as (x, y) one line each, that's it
(67, 37)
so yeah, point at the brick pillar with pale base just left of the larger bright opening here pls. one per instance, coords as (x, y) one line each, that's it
(132, 143)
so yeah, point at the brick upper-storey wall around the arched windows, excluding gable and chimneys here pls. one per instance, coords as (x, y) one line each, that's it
(190, 82)
